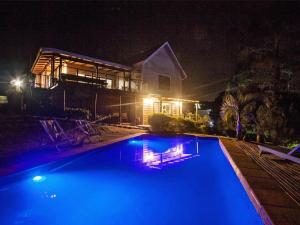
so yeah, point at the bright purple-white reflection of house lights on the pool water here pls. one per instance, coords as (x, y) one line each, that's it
(157, 155)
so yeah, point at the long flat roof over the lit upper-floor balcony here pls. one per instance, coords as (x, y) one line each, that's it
(43, 55)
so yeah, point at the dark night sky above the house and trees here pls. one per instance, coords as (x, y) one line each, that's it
(205, 36)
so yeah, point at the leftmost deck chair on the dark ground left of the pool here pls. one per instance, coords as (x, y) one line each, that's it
(57, 134)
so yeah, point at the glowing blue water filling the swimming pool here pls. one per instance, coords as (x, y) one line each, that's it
(146, 180)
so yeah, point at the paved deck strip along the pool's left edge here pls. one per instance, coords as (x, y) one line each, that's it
(43, 157)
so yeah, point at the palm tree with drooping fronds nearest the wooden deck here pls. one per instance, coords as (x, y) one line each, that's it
(239, 108)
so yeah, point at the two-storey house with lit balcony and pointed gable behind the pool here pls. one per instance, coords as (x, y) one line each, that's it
(131, 92)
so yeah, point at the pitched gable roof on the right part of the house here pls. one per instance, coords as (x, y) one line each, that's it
(147, 55)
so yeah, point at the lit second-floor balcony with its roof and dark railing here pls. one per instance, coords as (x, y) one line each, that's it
(53, 65)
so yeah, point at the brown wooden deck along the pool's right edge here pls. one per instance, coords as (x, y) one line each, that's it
(272, 184)
